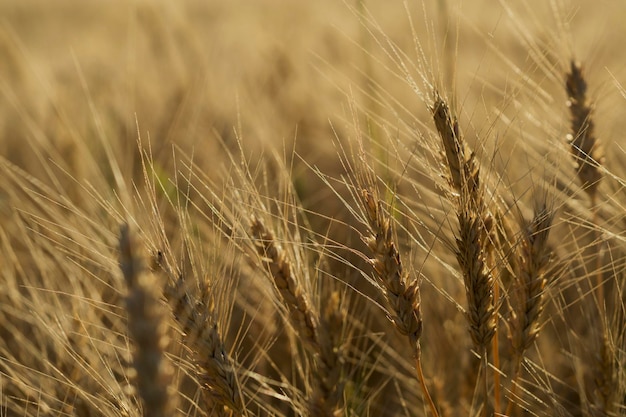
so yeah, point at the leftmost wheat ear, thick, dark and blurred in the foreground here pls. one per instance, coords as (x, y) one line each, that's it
(147, 329)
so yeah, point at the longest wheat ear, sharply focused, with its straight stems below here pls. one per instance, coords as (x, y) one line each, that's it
(475, 242)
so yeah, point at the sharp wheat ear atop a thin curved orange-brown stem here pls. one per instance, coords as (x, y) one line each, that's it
(402, 294)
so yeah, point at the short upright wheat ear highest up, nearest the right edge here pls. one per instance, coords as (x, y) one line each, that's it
(585, 146)
